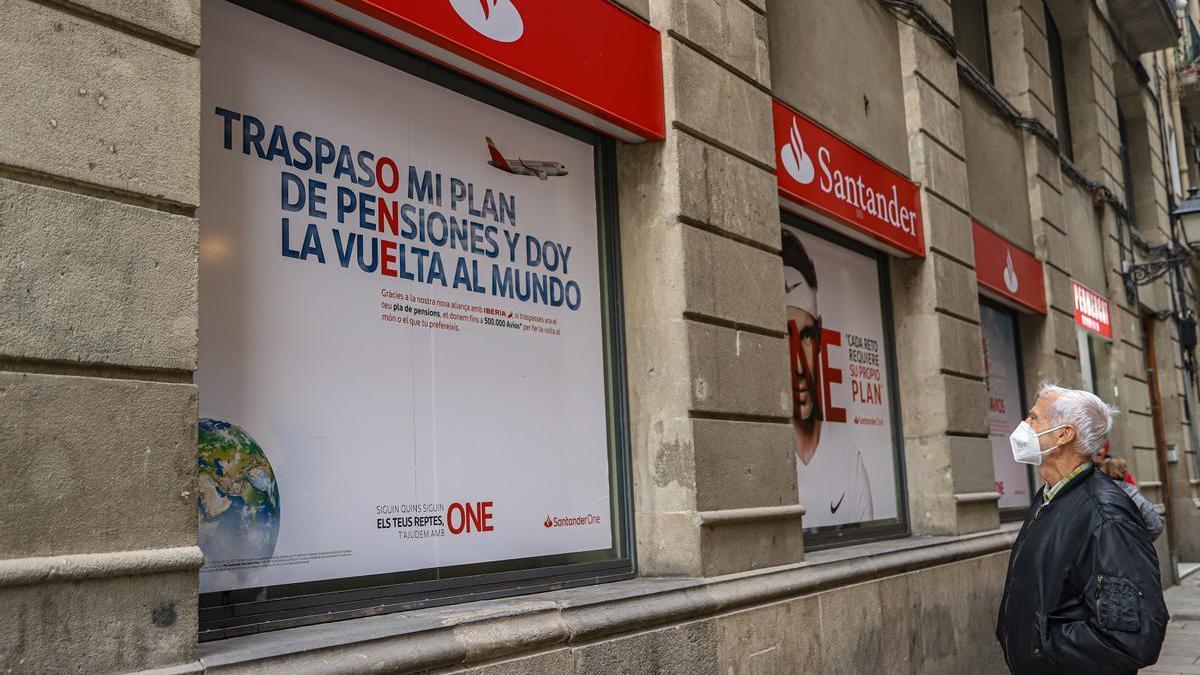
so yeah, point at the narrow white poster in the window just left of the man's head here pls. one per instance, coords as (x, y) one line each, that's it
(1005, 410)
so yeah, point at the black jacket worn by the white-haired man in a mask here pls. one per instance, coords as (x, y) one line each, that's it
(1083, 594)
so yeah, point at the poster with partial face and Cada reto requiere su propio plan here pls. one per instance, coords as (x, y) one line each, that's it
(842, 413)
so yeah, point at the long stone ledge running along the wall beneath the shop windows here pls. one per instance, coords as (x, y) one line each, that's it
(467, 635)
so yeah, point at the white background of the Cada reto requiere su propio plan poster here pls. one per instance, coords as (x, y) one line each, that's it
(854, 468)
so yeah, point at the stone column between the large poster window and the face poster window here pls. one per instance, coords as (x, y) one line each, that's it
(715, 474)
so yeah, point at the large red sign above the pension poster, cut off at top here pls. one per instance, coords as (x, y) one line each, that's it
(590, 61)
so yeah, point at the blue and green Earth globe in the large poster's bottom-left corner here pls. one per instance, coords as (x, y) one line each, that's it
(239, 501)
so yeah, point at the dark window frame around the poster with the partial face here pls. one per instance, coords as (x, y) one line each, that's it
(837, 536)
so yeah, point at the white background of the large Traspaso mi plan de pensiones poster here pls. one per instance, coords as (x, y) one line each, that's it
(353, 413)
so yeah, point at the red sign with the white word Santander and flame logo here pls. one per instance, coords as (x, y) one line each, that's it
(821, 174)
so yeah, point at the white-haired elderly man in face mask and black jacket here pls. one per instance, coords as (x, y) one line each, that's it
(1083, 593)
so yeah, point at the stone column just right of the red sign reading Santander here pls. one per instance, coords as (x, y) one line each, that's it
(943, 391)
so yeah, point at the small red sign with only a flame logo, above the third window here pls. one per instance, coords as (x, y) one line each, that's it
(1007, 273)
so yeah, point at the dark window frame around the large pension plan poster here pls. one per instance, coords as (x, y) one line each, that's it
(225, 614)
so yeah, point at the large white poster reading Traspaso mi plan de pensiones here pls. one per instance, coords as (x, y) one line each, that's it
(401, 345)
